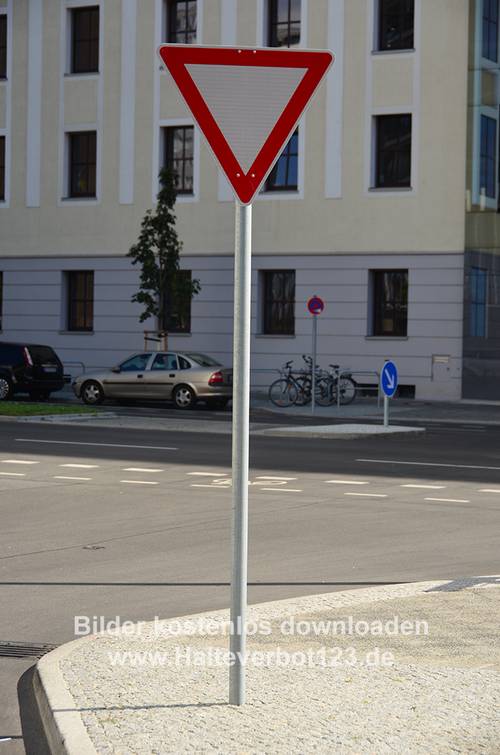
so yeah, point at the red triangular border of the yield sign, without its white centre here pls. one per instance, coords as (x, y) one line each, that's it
(246, 185)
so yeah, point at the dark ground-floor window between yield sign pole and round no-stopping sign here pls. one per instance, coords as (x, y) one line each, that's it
(279, 302)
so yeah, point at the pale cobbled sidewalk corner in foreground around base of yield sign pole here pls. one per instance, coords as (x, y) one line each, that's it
(407, 668)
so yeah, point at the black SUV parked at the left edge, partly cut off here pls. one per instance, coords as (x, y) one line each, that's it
(29, 368)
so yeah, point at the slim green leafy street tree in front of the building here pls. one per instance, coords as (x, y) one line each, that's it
(165, 290)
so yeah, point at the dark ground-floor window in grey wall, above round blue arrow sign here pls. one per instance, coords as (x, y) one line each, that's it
(390, 302)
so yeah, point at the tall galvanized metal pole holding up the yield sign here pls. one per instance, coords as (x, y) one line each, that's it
(241, 411)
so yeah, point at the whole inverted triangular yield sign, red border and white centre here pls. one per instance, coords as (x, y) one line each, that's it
(247, 102)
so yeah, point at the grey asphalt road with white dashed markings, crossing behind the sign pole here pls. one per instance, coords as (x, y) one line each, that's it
(106, 522)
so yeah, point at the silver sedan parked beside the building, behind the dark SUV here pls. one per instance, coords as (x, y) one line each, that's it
(181, 377)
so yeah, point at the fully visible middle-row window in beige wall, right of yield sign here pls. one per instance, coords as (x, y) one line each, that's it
(393, 157)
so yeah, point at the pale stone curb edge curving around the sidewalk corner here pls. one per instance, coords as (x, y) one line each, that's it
(63, 726)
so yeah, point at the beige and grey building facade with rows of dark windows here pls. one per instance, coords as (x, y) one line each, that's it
(377, 203)
